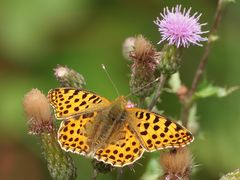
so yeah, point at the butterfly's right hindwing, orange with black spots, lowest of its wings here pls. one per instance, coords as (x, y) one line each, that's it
(122, 152)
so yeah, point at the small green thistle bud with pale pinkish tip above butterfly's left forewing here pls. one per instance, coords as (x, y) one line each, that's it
(68, 77)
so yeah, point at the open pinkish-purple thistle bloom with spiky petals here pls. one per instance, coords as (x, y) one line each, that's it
(179, 28)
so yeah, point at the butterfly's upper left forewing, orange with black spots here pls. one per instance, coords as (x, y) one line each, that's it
(68, 102)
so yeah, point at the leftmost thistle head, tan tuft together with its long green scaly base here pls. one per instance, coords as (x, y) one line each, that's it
(36, 106)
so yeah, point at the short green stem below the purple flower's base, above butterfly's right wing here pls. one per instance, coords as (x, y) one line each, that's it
(158, 93)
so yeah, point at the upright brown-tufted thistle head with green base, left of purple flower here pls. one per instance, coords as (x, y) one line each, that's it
(144, 58)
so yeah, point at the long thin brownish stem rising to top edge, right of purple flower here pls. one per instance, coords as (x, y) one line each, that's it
(188, 101)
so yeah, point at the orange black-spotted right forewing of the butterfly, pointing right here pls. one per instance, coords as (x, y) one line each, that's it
(157, 132)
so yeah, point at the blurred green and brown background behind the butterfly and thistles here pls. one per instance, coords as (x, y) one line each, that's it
(36, 35)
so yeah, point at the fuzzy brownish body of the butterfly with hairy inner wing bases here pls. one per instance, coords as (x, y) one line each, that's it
(108, 126)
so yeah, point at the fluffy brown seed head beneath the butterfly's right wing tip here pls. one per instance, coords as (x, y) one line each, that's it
(176, 164)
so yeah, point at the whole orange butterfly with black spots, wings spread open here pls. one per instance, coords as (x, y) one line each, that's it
(109, 131)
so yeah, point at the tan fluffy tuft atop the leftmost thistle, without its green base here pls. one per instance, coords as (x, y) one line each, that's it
(38, 112)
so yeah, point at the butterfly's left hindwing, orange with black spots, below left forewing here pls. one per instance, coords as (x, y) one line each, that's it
(72, 135)
